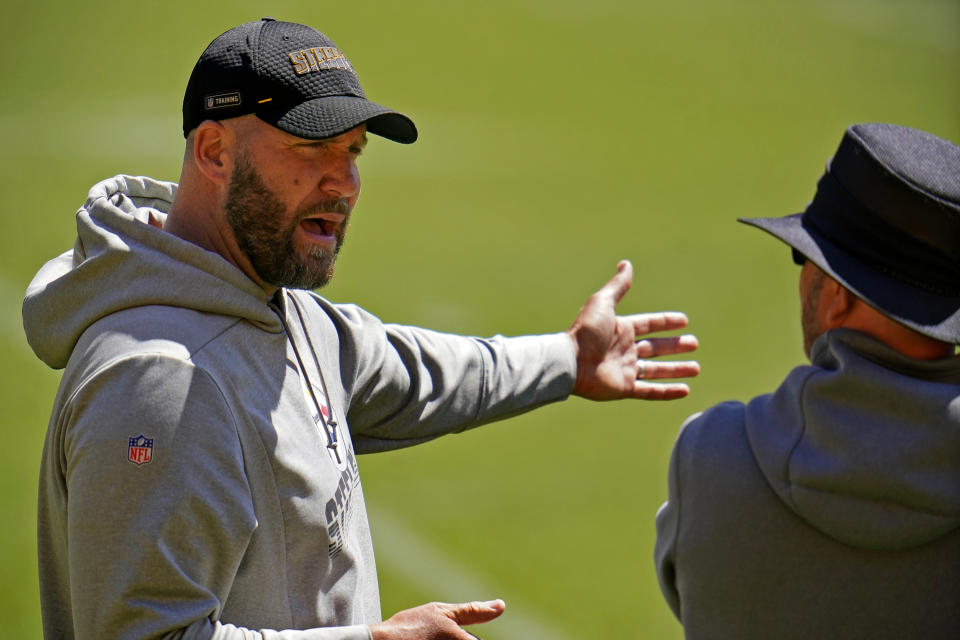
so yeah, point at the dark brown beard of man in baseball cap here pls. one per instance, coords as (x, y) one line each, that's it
(264, 231)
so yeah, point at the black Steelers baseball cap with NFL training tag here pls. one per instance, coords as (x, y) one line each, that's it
(292, 77)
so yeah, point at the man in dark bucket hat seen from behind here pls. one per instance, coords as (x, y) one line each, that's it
(831, 507)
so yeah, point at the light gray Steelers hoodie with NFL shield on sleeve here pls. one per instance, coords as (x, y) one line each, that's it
(199, 477)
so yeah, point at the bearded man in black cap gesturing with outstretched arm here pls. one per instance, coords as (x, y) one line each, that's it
(199, 476)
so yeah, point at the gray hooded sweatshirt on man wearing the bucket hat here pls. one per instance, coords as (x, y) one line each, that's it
(828, 509)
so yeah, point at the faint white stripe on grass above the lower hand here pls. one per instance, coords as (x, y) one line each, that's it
(400, 549)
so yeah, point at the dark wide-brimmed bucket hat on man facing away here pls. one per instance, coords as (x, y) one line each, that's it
(885, 223)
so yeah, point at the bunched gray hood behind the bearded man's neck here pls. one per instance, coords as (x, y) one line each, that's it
(120, 261)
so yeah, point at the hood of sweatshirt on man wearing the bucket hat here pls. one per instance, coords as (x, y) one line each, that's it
(866, 446)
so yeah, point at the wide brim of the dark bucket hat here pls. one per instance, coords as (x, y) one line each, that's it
(931, 314)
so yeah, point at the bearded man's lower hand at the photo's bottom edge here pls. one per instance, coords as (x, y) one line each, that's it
(436, 621)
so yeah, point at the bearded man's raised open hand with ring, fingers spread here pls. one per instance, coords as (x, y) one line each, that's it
(612, 354)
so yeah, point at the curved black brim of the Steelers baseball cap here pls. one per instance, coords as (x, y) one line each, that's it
(332, 115)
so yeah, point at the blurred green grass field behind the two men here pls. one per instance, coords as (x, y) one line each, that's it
(557, 137)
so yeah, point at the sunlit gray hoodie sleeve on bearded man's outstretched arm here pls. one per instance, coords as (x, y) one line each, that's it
(408, 385)
